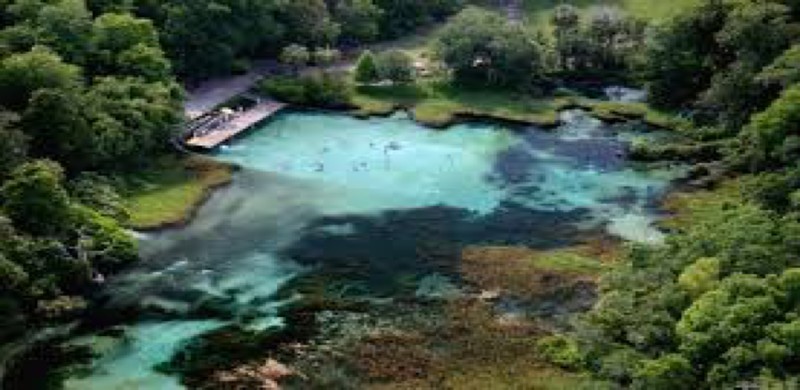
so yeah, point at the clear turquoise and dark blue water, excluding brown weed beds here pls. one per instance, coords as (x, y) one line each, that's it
(385, 200)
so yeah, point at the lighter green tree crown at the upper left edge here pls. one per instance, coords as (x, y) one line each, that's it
(23, 74)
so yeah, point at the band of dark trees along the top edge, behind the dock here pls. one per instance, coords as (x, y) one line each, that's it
(209, 37)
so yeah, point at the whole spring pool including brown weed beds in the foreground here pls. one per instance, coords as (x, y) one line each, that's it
(324, 257)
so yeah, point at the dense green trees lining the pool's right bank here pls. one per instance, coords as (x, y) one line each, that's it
(718, 306)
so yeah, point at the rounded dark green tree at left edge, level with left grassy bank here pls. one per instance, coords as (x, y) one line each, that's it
(34, 199)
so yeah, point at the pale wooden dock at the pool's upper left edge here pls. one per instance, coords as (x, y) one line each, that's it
(210, 138)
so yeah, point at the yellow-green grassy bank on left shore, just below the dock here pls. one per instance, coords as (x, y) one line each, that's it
(168, 194)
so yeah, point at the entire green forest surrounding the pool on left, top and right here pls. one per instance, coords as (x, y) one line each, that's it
(92, 92)
